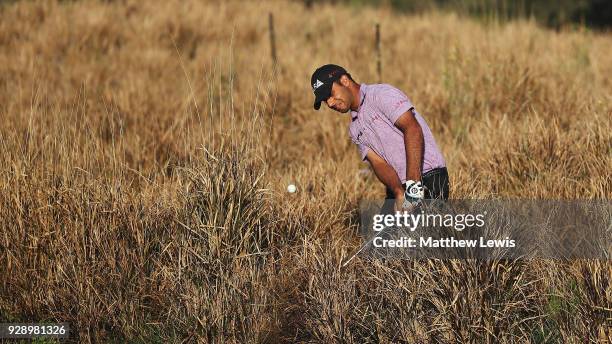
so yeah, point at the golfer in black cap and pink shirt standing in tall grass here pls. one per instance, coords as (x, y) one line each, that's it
(389, 133)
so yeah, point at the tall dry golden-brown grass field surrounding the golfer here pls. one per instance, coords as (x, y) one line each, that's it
(146, 148)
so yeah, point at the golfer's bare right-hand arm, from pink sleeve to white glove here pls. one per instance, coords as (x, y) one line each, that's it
(414, 143)
